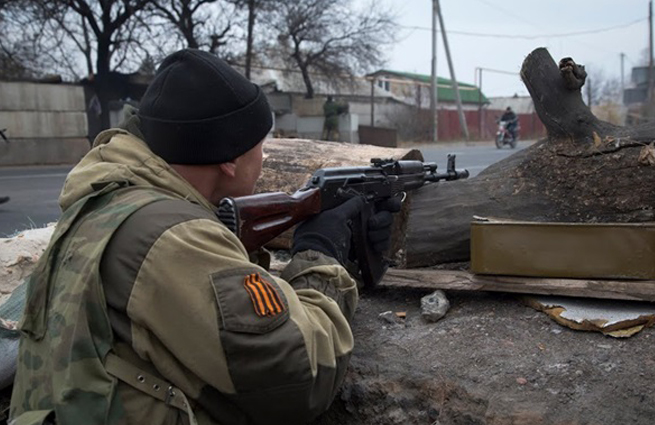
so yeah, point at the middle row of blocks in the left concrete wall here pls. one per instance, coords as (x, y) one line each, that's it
(32, 124)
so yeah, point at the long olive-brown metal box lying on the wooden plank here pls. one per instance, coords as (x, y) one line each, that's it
(563, 250)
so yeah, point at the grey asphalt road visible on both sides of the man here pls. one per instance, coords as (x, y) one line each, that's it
(34, 190)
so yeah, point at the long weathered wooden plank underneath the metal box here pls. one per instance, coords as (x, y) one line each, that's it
(636, 290)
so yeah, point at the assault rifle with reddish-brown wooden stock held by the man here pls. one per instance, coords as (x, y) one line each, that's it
(257, 219)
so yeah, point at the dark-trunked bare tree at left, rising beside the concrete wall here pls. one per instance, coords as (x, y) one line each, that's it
(84, 37)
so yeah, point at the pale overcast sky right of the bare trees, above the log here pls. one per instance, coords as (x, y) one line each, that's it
(613, 26)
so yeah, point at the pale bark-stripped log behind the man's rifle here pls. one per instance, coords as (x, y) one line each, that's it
(289, 163)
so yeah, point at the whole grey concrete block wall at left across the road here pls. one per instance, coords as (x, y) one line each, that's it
(45, 123)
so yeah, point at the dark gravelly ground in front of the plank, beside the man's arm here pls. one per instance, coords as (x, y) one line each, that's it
(490, 360)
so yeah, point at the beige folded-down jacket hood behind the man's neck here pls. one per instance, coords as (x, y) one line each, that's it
(120, 156)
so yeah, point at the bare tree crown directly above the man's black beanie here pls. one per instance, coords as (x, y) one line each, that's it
(202, 24)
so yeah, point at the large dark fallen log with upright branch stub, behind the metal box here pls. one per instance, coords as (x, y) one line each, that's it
(585, 170)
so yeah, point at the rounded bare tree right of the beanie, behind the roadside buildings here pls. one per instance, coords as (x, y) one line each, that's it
(329, 37)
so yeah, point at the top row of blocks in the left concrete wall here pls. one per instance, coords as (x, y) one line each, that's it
(18, 96)
